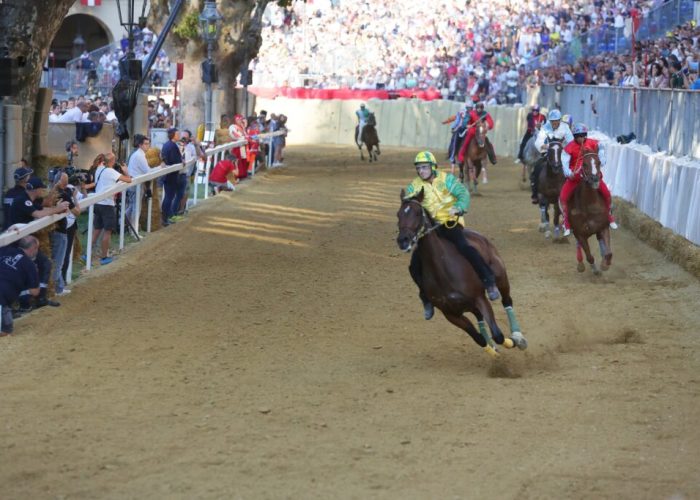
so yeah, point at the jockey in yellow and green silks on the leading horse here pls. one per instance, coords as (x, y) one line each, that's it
(446, 200)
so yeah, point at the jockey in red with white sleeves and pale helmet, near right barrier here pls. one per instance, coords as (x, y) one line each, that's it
(572, 160)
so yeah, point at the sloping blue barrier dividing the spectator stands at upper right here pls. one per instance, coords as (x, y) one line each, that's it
(613, 40)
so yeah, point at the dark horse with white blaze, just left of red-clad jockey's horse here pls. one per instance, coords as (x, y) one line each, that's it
(550, 181)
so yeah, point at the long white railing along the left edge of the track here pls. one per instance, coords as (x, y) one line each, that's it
(213, 155)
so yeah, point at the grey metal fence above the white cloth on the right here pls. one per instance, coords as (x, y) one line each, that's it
(665, 120)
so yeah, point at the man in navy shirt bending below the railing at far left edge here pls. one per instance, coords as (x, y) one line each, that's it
(17, 273)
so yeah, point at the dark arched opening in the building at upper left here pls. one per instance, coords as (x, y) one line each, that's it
(78, 32)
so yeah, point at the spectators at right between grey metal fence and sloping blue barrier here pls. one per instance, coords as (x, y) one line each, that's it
(667, 63)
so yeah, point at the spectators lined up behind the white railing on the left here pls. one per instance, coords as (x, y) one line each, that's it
(30, 280)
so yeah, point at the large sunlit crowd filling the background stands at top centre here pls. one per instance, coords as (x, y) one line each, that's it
(463, 49)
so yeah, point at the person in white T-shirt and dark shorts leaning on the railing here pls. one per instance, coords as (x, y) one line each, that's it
(107, 174)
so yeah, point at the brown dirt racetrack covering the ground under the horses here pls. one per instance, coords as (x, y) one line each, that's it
(273, 346)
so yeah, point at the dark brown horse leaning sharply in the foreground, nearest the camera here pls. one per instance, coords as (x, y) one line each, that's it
(451, 283)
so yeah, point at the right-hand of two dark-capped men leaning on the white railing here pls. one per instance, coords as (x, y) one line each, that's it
(26, 207)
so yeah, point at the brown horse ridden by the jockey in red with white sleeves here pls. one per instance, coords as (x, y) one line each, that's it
(588, 214)
